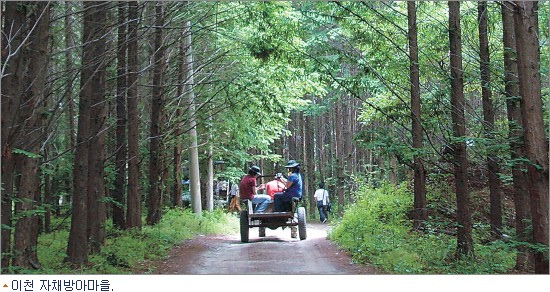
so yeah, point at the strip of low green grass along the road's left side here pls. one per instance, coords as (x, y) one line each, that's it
(131, 251)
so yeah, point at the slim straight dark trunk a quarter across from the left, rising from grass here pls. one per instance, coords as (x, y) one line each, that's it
(133, 212)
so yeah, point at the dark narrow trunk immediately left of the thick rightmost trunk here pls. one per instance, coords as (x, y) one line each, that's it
(515, 134)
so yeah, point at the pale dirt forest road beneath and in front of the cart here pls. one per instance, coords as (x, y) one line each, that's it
(275, 254)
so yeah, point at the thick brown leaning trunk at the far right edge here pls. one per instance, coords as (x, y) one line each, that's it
(536, 147)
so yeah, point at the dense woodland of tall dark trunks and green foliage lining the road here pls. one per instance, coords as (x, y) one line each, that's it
(107, 106)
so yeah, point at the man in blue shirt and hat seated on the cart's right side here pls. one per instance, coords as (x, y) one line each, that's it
(293, 188)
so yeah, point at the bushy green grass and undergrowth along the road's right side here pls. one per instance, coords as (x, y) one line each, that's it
(376, 230)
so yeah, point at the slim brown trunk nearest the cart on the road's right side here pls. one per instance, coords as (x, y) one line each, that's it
(420, 214)
